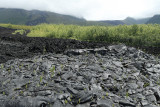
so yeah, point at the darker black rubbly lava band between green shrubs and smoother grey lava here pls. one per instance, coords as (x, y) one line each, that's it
(22, 46)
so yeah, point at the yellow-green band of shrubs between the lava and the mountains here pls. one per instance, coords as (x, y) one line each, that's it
(135, 35)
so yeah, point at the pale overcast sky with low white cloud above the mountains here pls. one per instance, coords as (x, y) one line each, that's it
(91, 9)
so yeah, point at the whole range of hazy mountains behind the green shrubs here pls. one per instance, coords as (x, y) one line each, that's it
(35, 17)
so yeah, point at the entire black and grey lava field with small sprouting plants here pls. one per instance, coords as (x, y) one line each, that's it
(45, 72)
